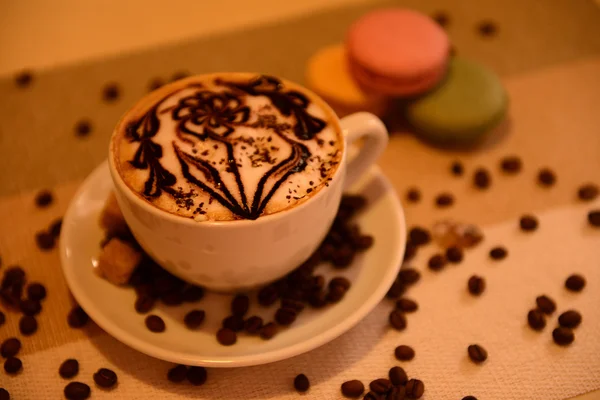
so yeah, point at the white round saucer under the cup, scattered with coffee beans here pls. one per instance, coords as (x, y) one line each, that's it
(111, 307)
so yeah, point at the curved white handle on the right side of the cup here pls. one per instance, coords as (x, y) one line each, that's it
(368, 126)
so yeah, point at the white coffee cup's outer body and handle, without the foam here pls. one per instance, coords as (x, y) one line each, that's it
(241, 254)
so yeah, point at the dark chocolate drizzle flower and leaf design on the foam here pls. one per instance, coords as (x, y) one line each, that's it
(212, 116)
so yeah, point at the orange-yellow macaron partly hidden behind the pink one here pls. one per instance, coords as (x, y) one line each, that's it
(328, 75)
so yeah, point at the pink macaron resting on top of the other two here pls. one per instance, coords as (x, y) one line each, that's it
(397, 52)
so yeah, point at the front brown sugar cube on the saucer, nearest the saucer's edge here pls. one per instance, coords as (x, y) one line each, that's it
(117, 261)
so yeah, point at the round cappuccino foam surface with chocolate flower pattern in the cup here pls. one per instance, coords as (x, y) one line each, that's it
(227, 147)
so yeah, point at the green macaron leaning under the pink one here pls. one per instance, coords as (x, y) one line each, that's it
(463, 108)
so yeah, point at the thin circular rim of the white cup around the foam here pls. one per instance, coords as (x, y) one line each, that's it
(123, 188)
